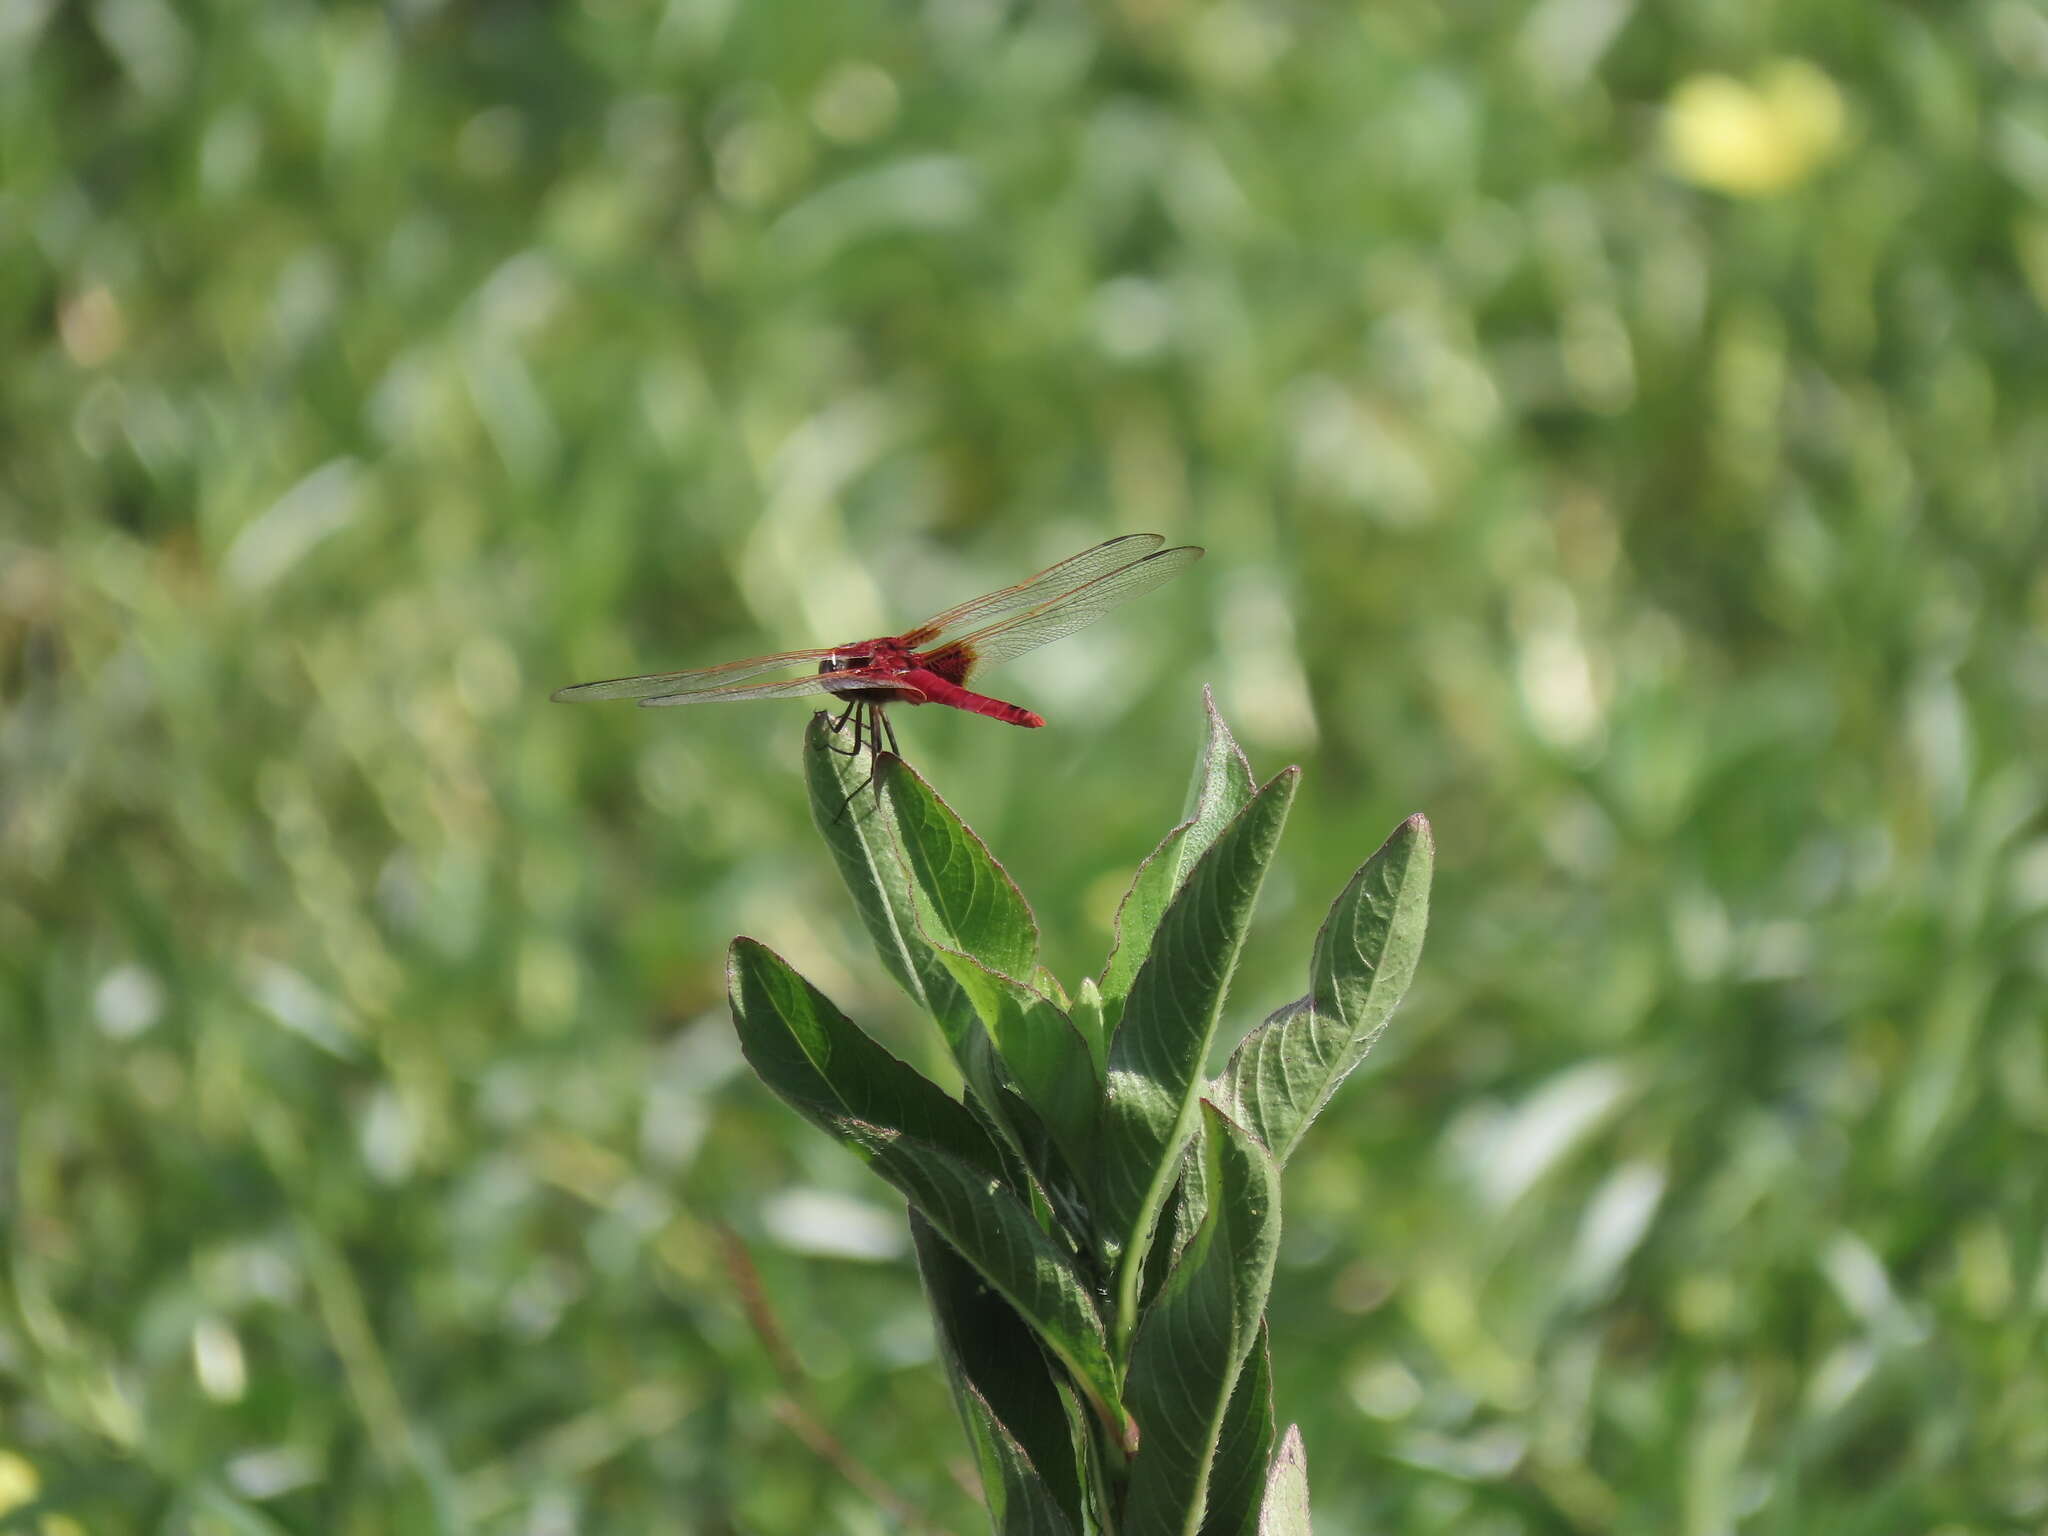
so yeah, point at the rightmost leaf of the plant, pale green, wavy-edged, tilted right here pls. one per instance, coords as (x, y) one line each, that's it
(1365, 957)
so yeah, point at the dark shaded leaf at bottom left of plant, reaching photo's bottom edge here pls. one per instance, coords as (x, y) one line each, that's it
(1007, 1394)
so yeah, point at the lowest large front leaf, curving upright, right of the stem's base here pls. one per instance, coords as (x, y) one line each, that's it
(1197, 1334)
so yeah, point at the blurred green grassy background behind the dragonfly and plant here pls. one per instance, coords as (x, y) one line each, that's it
(1619, 433)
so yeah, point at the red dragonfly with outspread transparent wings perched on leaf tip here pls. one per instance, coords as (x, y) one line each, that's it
(933, 663)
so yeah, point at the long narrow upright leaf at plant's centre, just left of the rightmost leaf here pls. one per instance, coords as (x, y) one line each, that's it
(1170, 1021)
